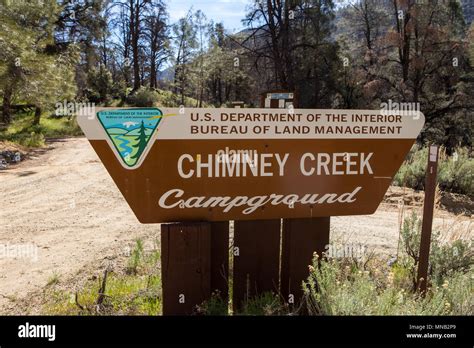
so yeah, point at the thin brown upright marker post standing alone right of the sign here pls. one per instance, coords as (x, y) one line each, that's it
(428, 207)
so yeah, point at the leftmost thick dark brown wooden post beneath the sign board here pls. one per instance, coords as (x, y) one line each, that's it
(195, 263)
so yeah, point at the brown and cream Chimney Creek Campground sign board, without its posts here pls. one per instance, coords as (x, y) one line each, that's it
(244, 164)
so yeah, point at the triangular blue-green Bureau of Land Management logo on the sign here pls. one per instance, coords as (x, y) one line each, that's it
(130, 131)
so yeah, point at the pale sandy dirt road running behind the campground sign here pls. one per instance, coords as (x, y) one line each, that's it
(64, 203)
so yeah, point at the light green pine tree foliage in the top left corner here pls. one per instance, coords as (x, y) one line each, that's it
(31, 69)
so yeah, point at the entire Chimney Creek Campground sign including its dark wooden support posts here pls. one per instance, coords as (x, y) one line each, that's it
(199, 168)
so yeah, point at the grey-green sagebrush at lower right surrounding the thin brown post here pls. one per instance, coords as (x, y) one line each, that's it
(344, 287)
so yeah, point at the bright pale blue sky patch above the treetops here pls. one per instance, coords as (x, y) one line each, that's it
(230, 12)
